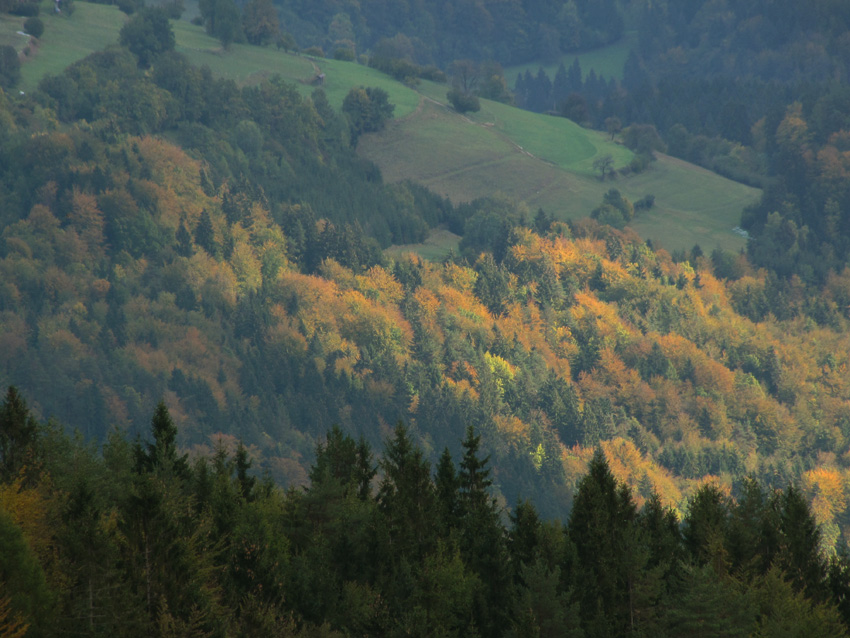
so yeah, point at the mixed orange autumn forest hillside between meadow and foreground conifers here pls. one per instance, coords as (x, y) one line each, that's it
(238, 283)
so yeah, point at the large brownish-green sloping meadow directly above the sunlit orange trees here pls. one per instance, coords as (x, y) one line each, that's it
(464, 159)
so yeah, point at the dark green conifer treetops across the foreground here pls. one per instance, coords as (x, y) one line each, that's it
(139, 540)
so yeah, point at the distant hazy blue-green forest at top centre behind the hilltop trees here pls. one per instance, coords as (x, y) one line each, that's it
(509, 32)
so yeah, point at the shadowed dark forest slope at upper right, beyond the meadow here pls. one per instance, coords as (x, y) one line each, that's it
(756, 91)
